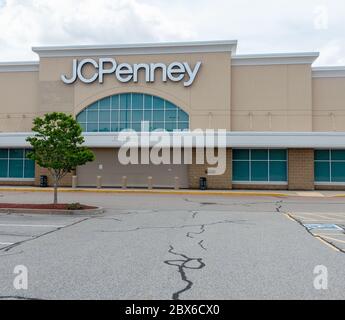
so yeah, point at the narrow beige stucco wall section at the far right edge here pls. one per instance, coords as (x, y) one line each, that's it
(329, 104)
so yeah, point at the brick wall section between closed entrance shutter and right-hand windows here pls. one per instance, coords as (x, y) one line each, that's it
(195, 171)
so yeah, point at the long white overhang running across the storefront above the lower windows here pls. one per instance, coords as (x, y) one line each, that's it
(313, 140)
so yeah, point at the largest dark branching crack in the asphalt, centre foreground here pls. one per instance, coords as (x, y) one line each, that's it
(182, 265)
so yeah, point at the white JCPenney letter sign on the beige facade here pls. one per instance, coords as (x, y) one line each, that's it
(125, 72)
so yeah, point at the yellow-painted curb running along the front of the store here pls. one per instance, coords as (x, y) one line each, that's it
(153, 191)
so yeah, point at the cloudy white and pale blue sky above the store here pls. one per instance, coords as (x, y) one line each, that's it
(260, 26)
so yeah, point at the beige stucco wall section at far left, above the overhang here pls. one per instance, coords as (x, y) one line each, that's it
(19, 100)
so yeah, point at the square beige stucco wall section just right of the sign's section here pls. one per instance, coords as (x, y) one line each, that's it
(271, 98)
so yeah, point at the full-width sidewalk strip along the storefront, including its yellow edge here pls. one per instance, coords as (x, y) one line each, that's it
(248, 193)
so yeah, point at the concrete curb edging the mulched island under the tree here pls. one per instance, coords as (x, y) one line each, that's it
(53, 211)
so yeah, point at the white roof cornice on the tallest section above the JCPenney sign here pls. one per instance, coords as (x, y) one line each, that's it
(139, 48)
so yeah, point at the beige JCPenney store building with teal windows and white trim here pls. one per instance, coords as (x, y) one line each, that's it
(285, 120)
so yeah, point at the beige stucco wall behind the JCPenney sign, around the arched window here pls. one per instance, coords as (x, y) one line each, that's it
(207, 100)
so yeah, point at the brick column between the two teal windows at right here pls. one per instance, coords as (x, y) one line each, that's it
(301, 169)
